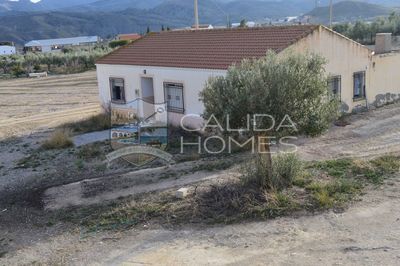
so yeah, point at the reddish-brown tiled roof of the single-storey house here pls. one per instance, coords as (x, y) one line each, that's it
(206, 49)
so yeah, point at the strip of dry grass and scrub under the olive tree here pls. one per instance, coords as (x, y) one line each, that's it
(319, 186)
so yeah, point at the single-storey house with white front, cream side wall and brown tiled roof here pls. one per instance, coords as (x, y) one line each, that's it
(174, 66)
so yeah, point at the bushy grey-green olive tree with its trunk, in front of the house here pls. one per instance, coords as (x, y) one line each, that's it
(288, 85)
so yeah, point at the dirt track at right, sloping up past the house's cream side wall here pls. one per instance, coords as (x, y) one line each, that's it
(370, 134)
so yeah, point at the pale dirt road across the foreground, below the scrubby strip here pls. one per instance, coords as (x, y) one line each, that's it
(367, 234)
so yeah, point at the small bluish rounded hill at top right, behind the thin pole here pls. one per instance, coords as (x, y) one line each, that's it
(349, 11)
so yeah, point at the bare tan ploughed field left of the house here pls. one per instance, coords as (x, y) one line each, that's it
(27, 105)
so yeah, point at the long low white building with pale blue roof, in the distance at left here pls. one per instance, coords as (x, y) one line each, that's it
(56, 45)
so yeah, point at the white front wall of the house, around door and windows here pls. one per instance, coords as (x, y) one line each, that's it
(193, 81)
